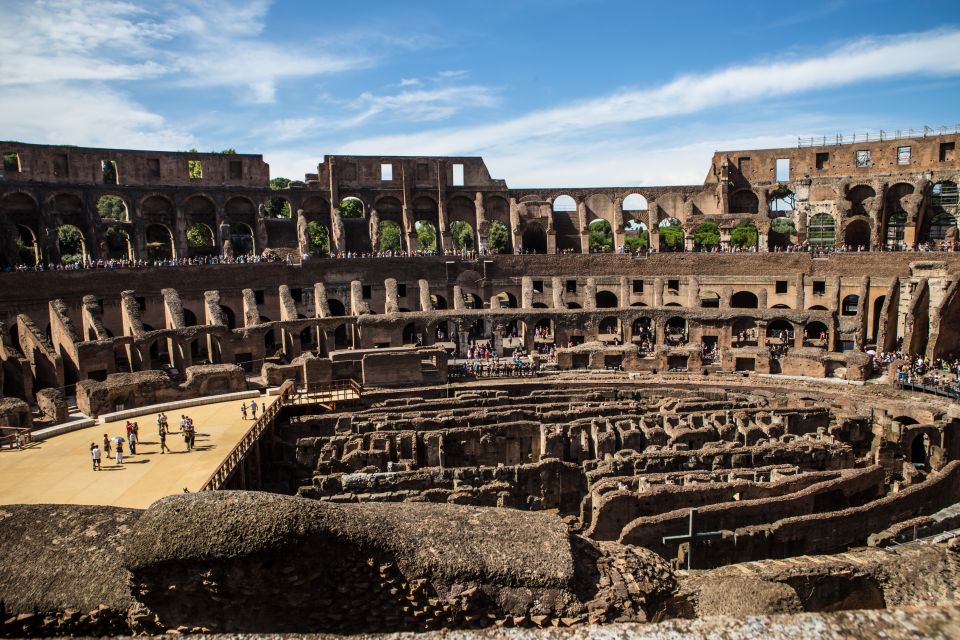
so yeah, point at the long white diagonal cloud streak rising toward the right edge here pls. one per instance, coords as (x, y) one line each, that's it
(935, 52)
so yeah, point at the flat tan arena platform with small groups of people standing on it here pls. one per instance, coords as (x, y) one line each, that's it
(59, 470)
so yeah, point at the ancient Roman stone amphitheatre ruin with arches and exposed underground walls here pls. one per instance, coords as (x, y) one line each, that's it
(700, 409)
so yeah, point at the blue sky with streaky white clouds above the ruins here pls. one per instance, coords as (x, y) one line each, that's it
(558, 92)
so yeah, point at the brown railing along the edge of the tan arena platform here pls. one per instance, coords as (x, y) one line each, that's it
(338, 391)
